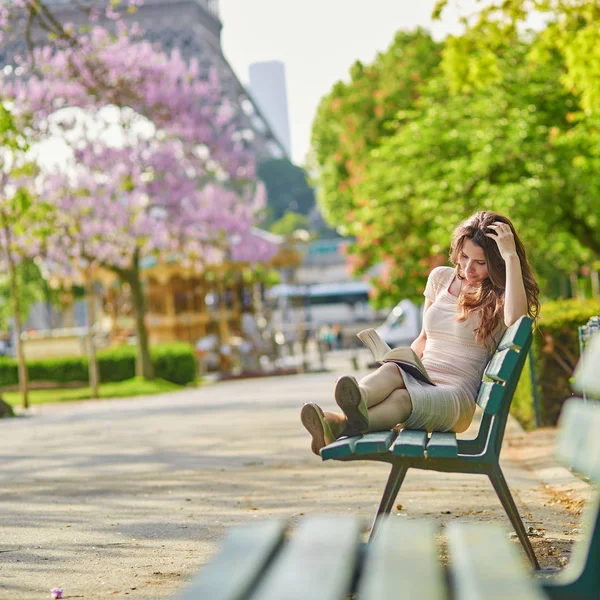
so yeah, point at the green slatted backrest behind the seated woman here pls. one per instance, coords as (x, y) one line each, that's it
(500, 380)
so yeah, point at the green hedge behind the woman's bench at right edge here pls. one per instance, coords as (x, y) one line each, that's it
(556, 351)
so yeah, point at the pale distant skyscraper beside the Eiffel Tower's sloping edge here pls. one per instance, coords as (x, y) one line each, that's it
(269, 90)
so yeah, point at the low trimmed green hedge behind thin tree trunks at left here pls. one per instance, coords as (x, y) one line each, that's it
(172, 362)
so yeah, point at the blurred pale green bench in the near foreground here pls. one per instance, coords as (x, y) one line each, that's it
(323, 558)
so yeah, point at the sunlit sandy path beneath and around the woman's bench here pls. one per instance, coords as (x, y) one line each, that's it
(130, 497)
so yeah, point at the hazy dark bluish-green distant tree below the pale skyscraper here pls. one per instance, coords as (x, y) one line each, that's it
(287, 189)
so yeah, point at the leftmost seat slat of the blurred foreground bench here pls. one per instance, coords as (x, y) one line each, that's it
(234, 570)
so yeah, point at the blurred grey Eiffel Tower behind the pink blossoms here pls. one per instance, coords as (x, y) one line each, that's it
(194, 28)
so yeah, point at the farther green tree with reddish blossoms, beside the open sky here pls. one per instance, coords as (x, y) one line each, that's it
(354, 118)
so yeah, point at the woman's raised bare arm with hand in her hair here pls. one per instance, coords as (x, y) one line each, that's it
(515, 298)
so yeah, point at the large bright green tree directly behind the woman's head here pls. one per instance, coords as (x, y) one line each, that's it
(510, 147)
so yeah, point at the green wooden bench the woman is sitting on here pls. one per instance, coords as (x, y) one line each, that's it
(443, 451)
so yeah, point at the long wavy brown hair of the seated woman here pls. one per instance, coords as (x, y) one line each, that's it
(488, 299)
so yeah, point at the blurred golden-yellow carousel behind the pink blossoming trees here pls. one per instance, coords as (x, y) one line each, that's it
(183, 303)
